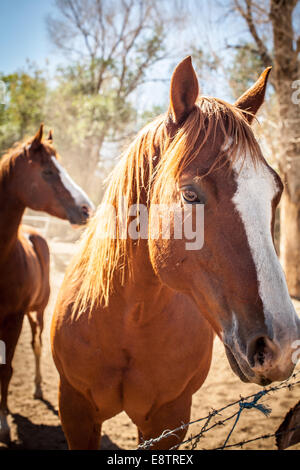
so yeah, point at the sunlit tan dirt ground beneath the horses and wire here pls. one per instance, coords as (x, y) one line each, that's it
(35, 423)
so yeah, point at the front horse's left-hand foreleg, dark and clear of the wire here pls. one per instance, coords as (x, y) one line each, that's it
(78, 419)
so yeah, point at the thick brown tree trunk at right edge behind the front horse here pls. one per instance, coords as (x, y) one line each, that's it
(286, 72)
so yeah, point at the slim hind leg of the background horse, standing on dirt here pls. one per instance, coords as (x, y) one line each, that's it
(36, 320)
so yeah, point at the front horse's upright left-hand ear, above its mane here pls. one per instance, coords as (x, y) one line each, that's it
(184, 90)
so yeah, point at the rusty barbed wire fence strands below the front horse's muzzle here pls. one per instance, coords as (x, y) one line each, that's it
(244, 403)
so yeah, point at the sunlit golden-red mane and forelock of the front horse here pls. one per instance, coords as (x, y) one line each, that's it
(101, 260)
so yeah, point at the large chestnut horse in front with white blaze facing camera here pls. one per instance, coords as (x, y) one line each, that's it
(136, 315)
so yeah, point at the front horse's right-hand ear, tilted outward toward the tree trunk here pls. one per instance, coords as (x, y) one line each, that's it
(253, 98)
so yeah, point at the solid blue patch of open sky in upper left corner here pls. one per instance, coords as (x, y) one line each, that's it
(23, 34)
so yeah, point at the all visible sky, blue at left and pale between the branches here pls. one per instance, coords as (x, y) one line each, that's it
(23, 36)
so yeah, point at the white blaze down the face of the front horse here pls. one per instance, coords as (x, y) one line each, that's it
(256, 188)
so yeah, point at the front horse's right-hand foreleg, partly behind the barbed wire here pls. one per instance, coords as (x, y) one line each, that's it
(169, 416)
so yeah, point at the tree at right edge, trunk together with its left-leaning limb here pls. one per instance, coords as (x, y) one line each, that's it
(283, 53)
